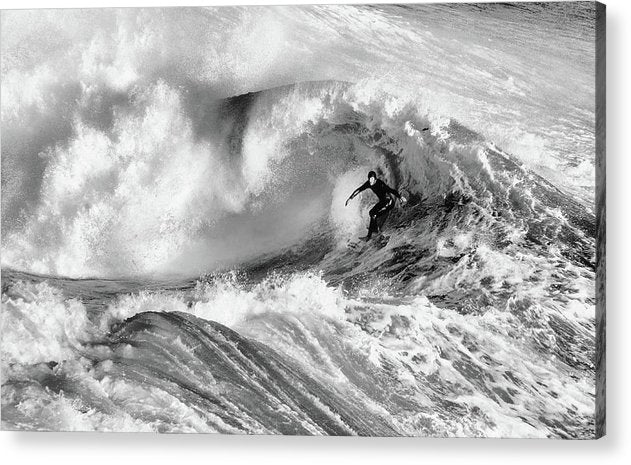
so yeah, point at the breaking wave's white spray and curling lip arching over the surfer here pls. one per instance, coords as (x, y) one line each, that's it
(154, 195)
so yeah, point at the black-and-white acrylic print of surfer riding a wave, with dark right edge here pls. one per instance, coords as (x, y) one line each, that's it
(184, 191)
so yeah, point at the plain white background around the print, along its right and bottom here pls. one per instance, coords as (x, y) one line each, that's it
(101, 448)
